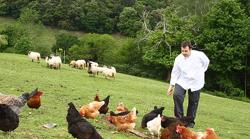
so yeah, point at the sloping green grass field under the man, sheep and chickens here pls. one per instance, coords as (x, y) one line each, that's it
(229, 118)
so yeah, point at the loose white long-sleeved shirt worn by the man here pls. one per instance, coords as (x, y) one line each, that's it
(189, 72)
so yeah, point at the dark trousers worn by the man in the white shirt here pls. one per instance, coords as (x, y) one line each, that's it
(193, 100)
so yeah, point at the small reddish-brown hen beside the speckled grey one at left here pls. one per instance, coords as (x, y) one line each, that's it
(35, 100)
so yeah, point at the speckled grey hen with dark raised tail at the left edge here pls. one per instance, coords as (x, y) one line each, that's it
(16, 102)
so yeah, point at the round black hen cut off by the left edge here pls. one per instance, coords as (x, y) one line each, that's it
(9, 120)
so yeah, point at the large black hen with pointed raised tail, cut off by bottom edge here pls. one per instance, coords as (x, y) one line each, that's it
(79, 127)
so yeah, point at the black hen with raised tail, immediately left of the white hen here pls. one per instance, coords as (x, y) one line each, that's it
(151, 115)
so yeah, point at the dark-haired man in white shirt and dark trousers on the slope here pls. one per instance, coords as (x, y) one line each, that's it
(188, 74)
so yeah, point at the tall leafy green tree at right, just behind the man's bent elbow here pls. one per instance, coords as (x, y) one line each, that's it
(225, 40)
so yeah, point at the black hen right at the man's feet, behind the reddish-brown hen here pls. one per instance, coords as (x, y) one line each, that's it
(166, 121)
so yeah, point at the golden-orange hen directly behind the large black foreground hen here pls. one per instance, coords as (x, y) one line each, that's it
(91, 110)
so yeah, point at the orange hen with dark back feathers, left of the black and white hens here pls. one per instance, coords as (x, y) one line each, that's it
(124, 120)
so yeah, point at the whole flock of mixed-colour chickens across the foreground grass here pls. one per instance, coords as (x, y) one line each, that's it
(123, 119)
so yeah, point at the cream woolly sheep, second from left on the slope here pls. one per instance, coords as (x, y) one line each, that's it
(54, 62)
